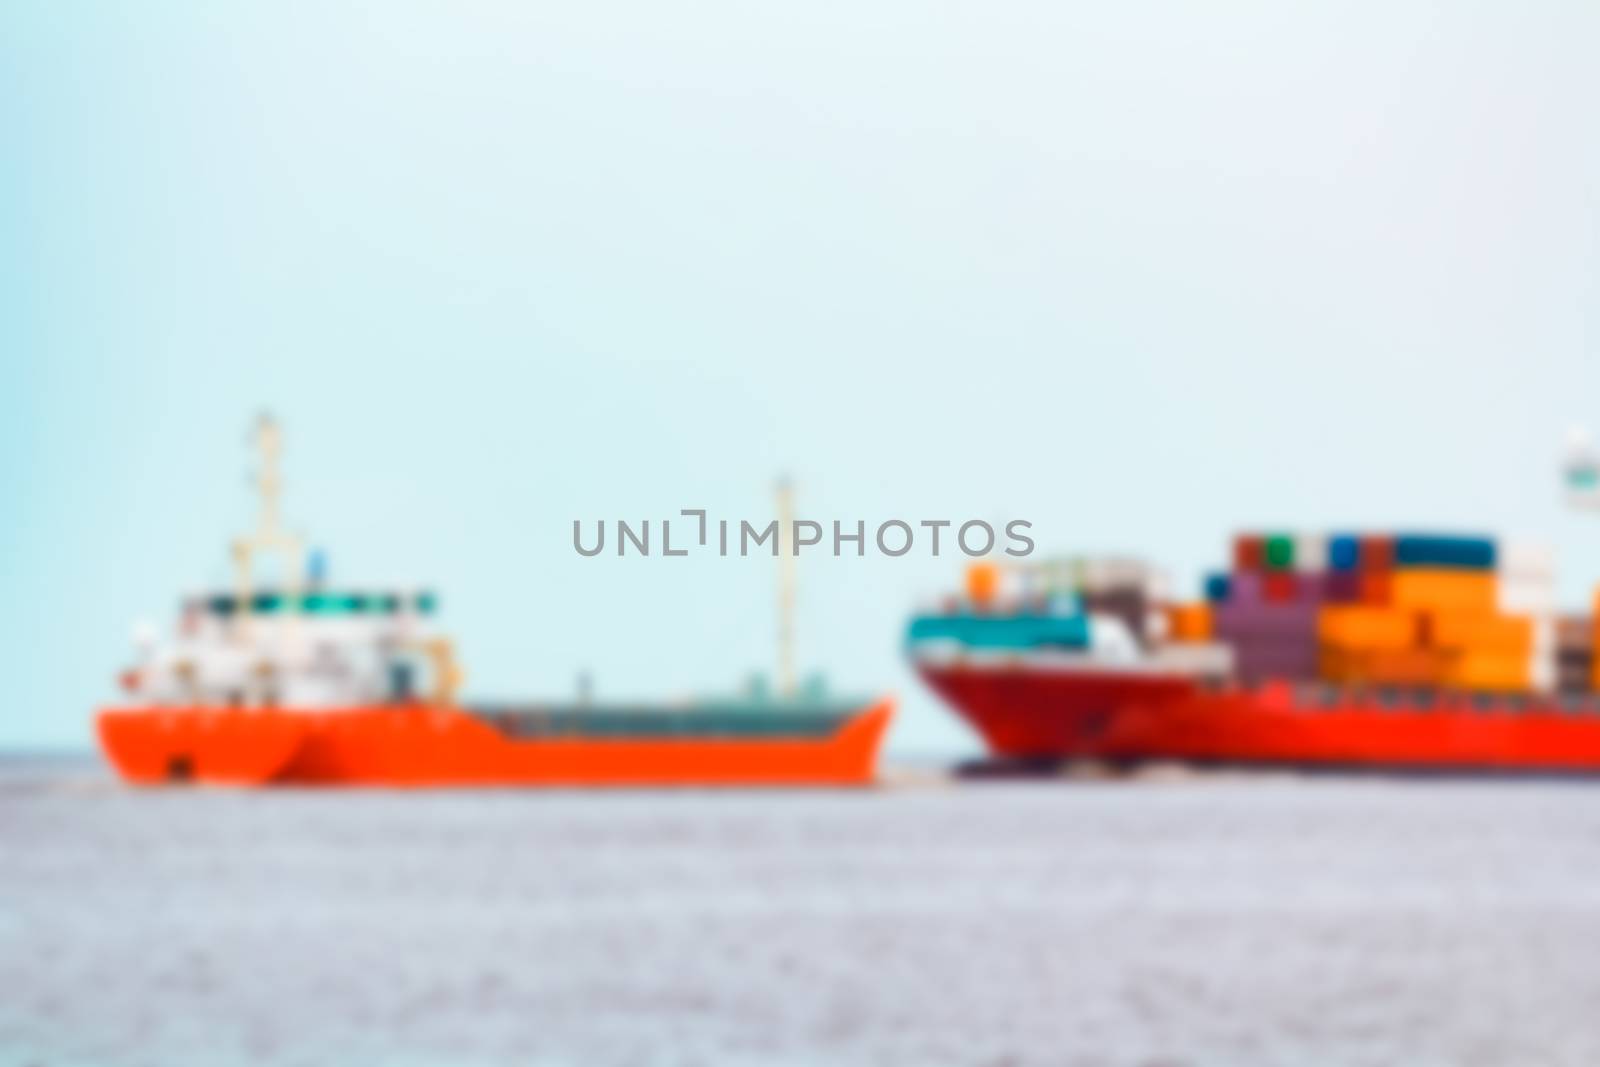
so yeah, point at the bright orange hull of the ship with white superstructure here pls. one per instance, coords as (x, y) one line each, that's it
(449, 748)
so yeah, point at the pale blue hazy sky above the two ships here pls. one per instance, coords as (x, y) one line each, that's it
(1140, 273)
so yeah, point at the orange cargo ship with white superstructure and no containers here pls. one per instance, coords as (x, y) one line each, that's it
(305, 685)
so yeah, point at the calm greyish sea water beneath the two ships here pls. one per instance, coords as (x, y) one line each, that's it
(1174, 921)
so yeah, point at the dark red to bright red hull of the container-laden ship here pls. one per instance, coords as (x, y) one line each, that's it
(1084, 714)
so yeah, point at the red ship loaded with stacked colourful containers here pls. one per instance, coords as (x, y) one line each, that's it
(1382, 652)
